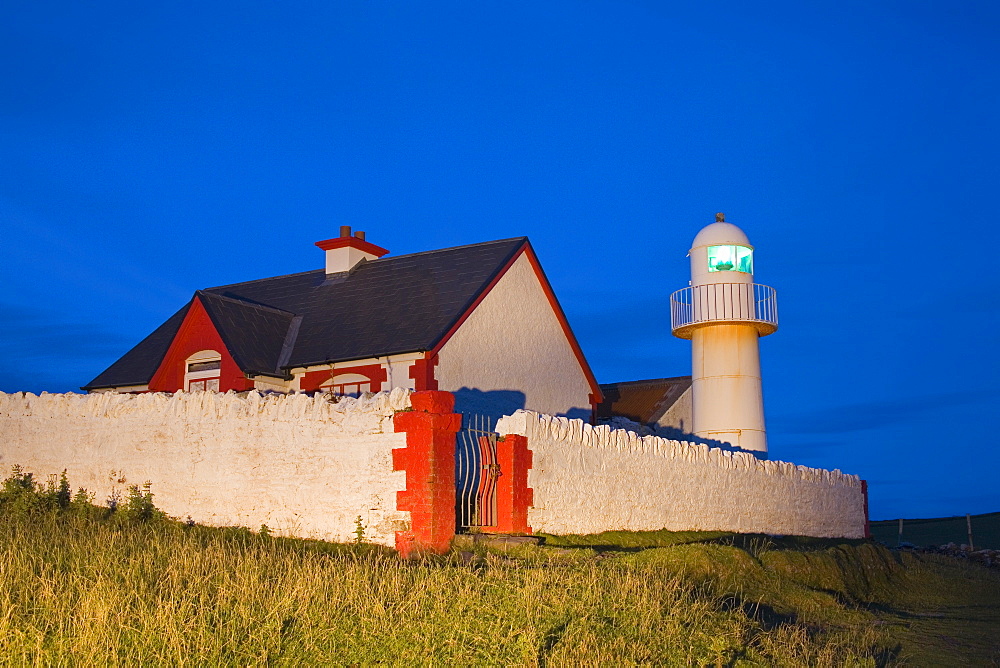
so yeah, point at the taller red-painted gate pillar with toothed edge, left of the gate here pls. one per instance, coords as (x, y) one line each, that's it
(429, 462)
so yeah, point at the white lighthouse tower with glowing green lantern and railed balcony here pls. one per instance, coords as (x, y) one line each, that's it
(724, 313)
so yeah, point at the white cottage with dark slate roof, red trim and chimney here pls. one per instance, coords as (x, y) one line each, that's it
(481, 321)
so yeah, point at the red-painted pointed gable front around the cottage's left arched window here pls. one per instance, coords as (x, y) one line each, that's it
(196, 333)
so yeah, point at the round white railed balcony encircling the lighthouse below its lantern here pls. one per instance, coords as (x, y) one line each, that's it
(723, 303)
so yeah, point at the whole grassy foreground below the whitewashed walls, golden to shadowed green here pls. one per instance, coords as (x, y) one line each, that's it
(81, 585)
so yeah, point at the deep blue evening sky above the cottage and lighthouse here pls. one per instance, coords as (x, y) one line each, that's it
(151, 149)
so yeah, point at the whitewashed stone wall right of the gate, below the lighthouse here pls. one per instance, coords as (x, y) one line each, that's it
(592, 479)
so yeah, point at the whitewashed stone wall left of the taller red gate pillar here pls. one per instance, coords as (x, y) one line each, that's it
(301, 465)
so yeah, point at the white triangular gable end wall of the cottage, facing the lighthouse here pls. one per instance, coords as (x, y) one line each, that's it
(513, 343)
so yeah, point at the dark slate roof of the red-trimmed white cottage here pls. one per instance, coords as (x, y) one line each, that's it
(381, 307)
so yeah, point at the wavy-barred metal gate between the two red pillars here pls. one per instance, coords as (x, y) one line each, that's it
(476, 473)
